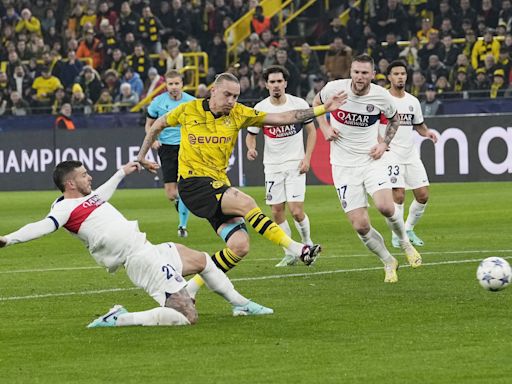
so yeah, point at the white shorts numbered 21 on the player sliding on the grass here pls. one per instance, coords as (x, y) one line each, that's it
(156, 269)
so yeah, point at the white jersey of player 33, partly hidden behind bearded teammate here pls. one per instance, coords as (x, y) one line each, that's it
(409, 114)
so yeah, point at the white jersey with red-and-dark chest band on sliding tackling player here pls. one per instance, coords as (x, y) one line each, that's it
(108, 235)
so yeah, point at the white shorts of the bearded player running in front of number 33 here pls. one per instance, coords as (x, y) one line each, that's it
(353, 184)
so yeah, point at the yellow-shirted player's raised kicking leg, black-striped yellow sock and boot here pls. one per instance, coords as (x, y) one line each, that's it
(235, 202)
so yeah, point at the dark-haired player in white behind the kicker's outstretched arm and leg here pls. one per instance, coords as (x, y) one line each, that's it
(284, 158)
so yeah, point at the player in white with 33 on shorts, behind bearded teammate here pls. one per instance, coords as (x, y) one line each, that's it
(404, 165)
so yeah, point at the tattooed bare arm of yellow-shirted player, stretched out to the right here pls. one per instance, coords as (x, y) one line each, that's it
(301, 115)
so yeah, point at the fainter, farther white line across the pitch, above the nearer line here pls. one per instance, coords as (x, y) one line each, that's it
(63, 269)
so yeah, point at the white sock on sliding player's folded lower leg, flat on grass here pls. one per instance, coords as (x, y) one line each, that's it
(155, 316)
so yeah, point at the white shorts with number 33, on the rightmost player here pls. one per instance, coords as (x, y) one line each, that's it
(411, 175)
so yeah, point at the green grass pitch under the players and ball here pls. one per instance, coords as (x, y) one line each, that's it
(336, 322)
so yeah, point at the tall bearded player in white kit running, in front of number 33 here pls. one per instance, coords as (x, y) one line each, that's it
(357, 167)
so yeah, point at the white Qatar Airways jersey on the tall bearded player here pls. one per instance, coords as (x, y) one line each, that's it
(357, 121)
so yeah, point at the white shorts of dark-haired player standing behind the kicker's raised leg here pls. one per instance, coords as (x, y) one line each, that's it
(284, 186)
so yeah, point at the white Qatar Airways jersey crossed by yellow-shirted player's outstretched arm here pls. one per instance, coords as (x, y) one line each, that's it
(284, 145)
